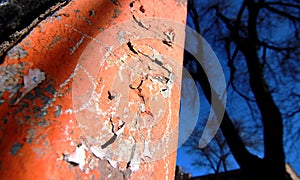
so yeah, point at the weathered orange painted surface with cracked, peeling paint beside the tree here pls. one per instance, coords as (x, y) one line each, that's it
(96, 85)
